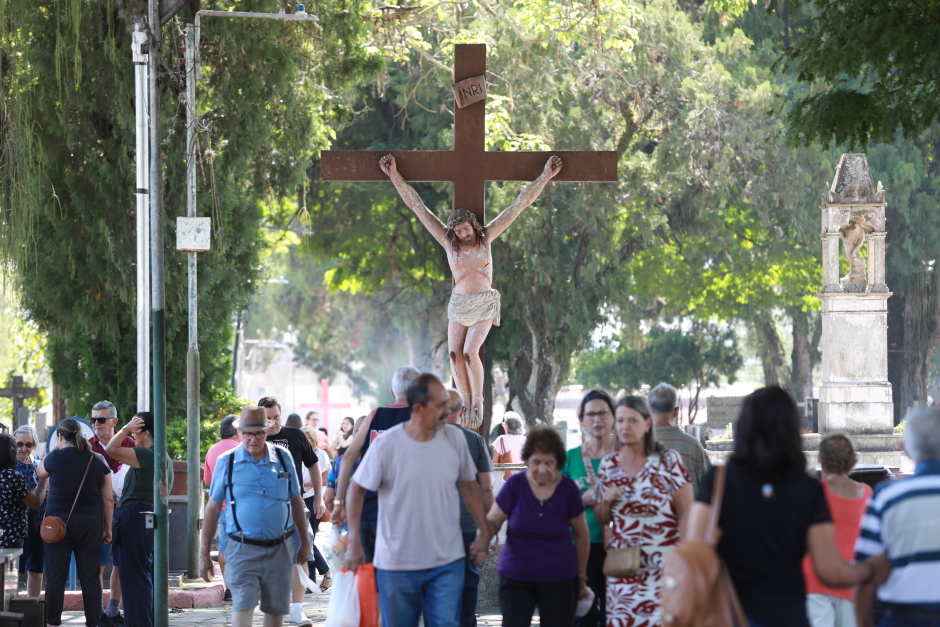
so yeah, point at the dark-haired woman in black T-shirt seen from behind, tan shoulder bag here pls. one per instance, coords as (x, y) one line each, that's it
(772, 513)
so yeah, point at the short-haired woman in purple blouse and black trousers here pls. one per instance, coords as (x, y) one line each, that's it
(544, 560)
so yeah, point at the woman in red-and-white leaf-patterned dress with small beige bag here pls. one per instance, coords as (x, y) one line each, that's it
(644, 493)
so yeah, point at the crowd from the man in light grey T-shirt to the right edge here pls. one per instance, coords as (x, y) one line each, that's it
(588, 529)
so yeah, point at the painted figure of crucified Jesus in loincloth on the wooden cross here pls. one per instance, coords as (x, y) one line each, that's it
(474, 304)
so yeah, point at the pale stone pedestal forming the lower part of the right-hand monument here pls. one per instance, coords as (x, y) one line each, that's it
(855, 395)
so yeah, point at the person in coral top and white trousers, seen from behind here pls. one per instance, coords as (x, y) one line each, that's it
(848, 500)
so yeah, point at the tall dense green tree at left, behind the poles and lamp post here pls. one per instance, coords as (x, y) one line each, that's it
(266, 104)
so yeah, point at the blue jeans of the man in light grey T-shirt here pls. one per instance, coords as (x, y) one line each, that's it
(403, 594)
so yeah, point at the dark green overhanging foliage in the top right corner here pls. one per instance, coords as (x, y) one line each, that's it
(875, 62)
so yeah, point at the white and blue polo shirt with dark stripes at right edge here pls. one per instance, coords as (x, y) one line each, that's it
(903, 518)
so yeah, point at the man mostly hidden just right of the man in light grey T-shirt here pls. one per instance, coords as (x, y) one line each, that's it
(480, 455)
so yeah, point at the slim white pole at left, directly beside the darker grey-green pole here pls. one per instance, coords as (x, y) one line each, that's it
(139, 47)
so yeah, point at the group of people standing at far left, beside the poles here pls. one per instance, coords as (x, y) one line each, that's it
(99, 488)
